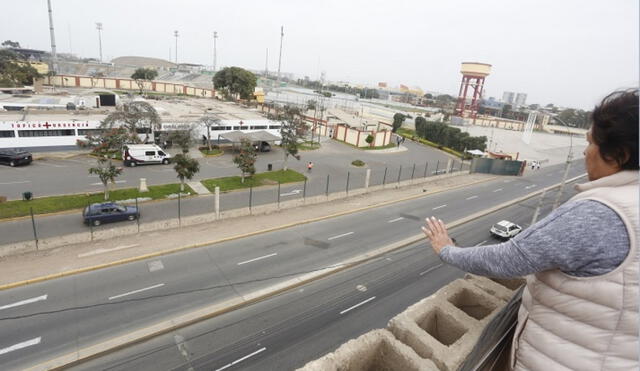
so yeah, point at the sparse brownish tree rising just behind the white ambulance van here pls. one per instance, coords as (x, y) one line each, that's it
(135, 117)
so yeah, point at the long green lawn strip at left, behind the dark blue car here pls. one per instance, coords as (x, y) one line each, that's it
(44, 205)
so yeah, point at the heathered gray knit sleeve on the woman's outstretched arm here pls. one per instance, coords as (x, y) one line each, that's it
(581, 238)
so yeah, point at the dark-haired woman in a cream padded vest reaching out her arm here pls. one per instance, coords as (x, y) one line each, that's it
(580, 305)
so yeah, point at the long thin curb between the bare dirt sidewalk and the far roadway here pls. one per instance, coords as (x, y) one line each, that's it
(213, 242)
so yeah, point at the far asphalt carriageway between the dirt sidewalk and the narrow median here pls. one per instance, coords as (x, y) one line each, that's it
(45, 319)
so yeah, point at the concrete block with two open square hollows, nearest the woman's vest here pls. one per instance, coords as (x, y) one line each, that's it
(446, 326)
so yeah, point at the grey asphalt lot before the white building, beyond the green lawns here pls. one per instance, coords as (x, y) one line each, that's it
(51, 176)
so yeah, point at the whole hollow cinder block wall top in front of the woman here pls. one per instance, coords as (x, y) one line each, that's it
(436, 333)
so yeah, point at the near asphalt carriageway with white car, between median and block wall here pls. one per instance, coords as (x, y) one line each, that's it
(289, 330)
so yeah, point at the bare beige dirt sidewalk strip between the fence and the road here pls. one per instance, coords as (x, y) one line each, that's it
(62, 261)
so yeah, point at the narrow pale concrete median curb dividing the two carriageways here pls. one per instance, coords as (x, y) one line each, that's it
(163, 327)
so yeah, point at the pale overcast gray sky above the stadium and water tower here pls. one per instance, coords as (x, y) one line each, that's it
(568, 52)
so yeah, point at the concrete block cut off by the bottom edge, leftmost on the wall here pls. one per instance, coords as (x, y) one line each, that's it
(375, 350)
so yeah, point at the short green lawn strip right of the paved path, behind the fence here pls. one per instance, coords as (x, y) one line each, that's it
(268, 178)
